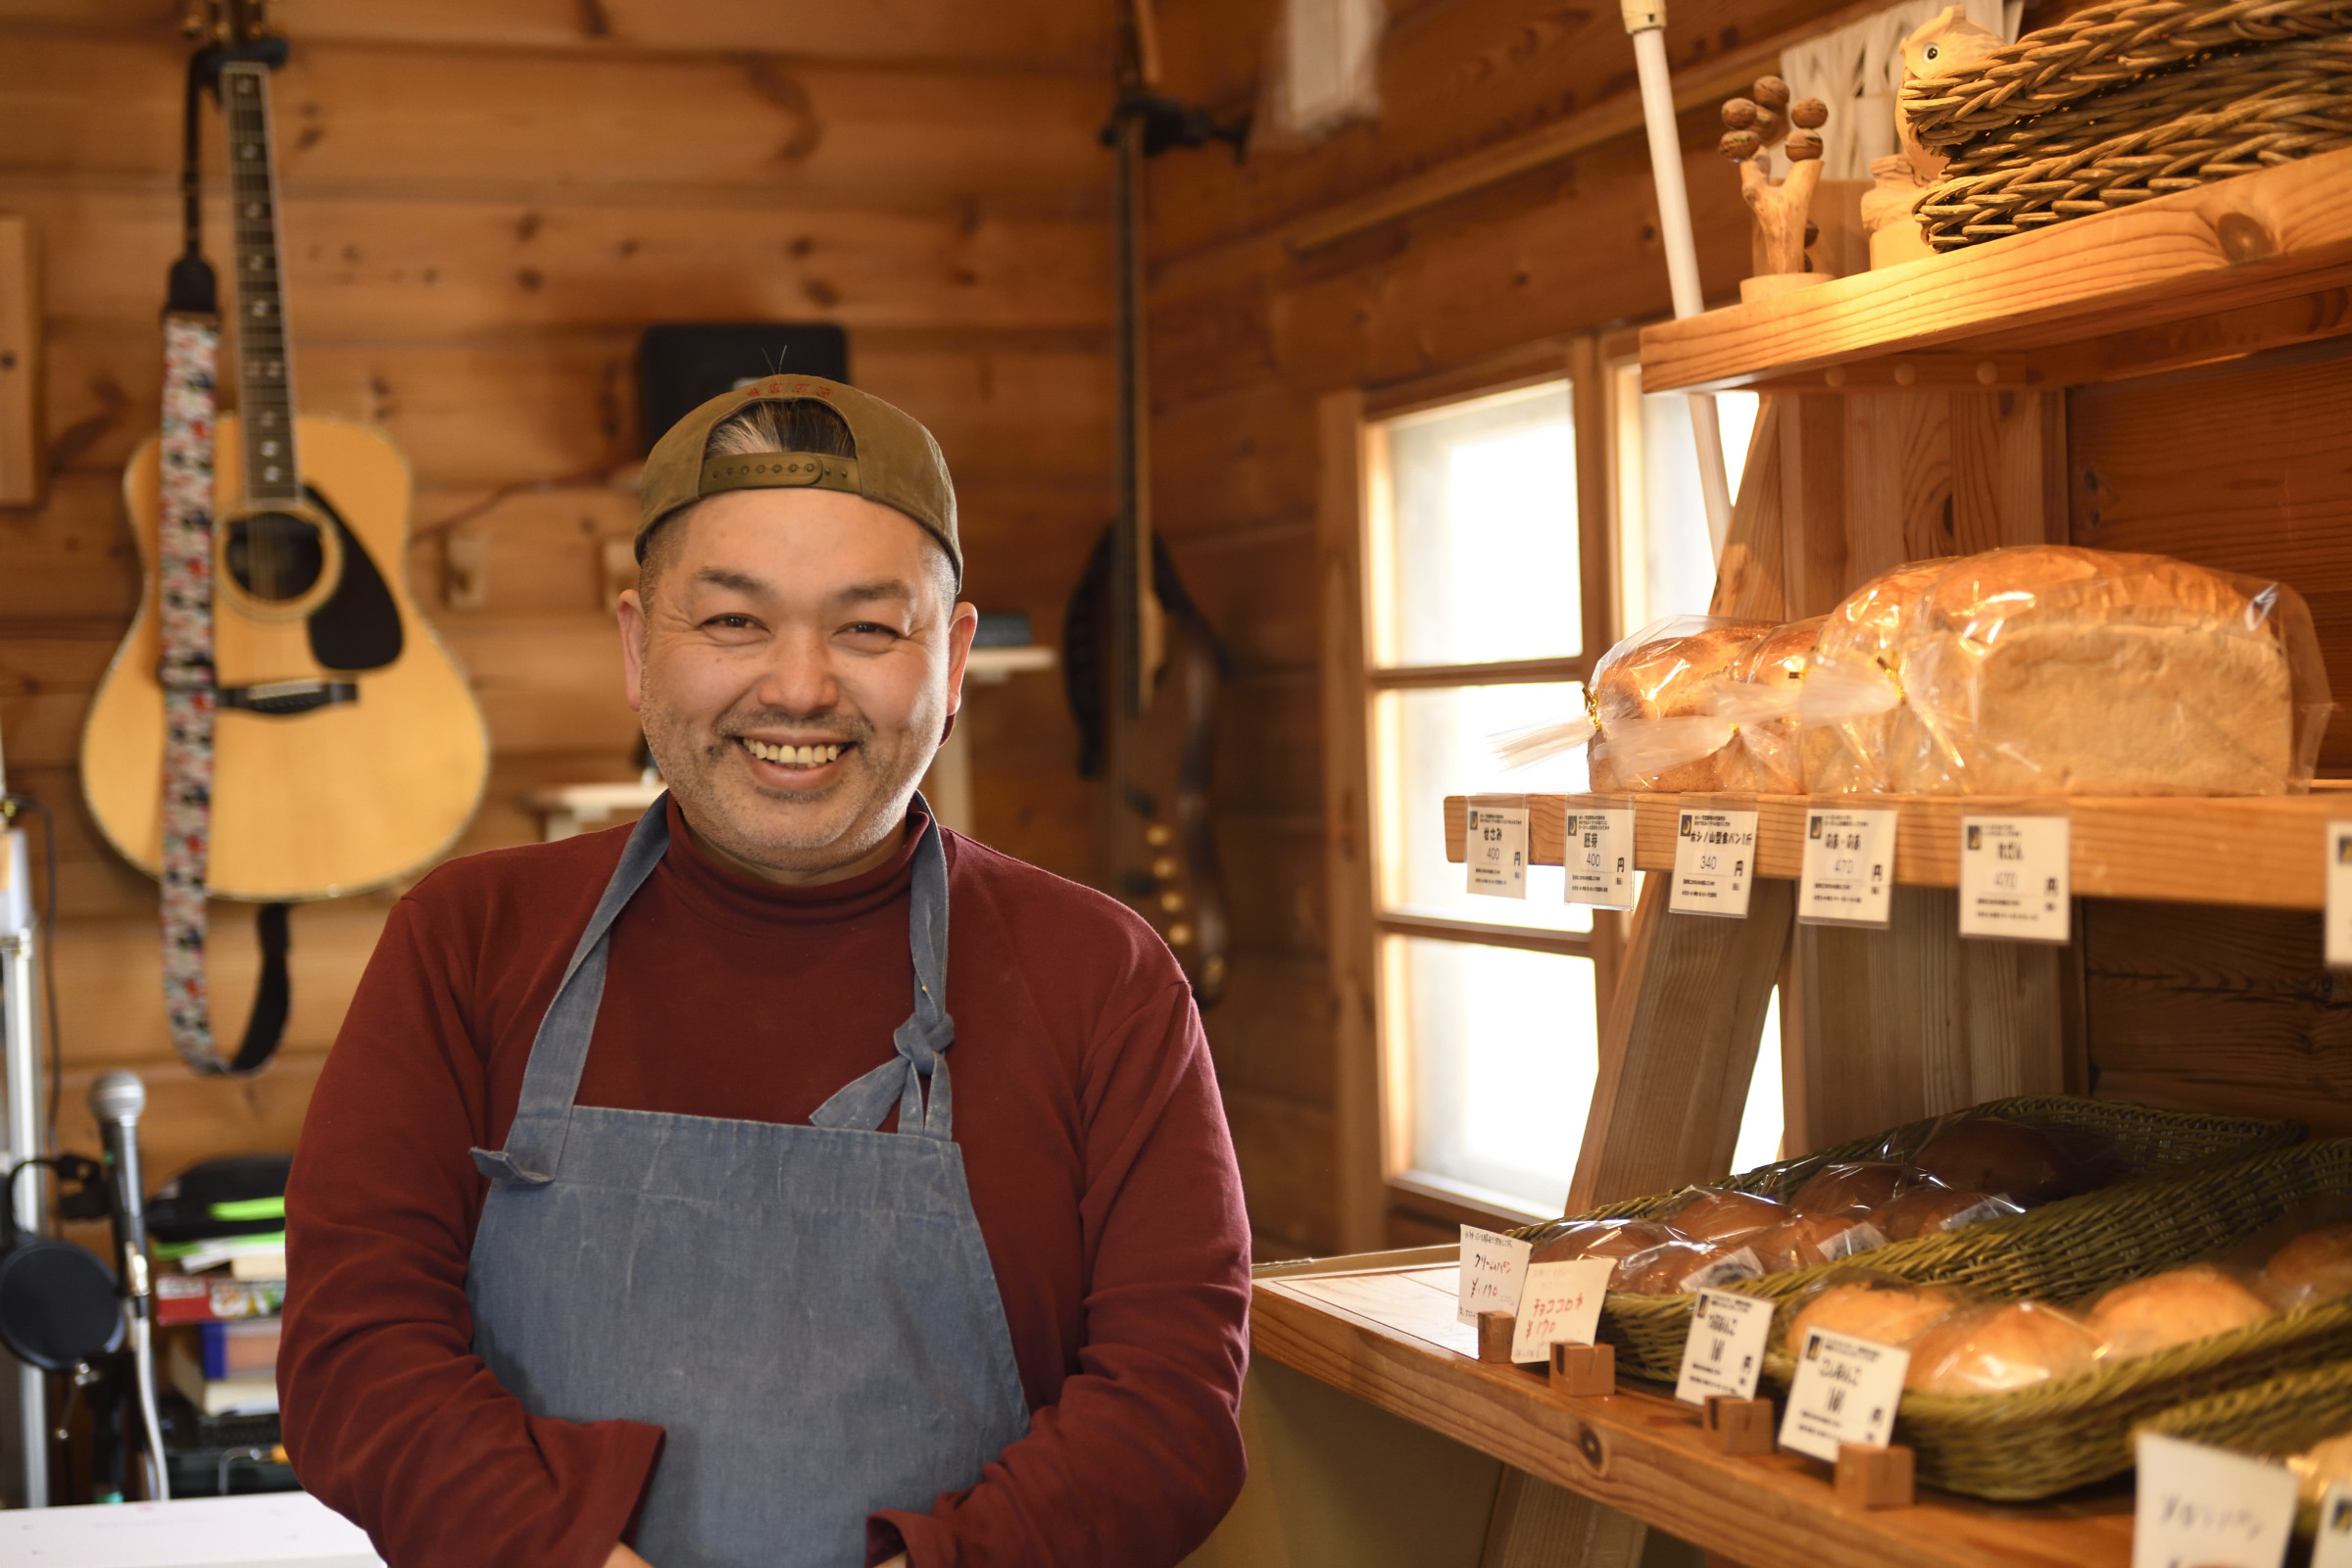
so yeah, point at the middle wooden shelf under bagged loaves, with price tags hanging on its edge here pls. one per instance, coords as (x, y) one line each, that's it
(2259, 852)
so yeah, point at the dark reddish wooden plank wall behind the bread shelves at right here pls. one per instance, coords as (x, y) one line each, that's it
(2238, 467)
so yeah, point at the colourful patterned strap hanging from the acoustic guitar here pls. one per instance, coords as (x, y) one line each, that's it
(192, 349)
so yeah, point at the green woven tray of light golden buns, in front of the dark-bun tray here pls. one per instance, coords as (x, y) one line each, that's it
(2062, 1435)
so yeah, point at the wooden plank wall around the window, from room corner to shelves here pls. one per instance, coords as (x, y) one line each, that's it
(1248, 335)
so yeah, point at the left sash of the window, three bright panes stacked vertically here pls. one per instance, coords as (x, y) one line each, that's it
(1481, 617)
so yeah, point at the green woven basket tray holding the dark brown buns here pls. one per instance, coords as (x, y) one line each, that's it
(1652, 1329)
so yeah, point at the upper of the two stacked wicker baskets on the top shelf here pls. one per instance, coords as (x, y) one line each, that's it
(2097, 51)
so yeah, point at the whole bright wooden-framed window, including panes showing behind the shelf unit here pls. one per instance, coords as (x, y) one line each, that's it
(1509, 535)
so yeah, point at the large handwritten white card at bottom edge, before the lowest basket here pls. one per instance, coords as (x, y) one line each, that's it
(2210, 1508)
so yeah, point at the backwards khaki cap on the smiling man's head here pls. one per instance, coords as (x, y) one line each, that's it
(897, 460)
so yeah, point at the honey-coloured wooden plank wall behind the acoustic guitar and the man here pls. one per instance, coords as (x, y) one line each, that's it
(483, 206)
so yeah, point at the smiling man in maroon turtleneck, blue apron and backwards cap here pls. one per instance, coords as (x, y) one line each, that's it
(690, 1195)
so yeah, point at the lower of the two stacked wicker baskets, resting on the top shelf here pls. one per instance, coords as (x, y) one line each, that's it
(2179, 130)
